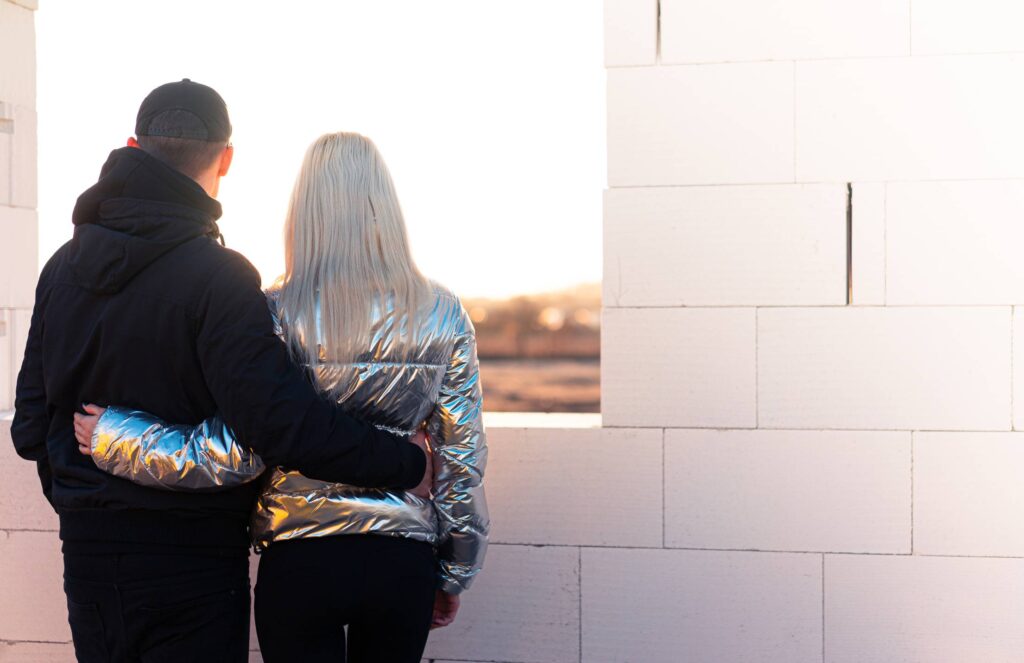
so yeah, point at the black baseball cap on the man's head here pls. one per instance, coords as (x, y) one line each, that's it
(185, 110)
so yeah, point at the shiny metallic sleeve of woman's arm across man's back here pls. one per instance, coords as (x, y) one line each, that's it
(145, 450)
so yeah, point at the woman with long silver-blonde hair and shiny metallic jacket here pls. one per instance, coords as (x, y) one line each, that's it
(394, 350)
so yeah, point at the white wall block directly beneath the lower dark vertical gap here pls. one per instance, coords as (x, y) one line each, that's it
(873, 368)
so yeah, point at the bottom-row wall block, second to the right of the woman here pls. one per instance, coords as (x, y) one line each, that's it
(670, 606)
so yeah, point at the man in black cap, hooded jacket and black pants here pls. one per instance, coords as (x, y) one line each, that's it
(146, 308)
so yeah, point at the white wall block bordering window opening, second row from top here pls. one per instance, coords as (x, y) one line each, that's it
(701, 126)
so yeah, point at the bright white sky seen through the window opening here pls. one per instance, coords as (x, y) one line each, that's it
(491, 116)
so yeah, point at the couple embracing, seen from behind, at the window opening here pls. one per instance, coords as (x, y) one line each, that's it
(334, 422)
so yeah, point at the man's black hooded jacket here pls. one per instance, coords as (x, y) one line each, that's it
(145, 309)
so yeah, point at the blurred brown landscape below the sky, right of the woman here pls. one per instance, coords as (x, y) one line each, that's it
(540, 353)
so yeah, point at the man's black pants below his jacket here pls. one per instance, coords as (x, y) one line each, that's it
(152, 608)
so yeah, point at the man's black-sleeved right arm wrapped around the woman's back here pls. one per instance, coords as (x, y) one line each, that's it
(271, 404)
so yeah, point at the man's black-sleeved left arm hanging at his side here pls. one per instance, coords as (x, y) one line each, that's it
(32, 422)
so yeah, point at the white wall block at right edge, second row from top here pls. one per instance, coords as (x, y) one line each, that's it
(909, 118)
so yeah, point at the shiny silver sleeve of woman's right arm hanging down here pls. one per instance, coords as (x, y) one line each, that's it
(460, 454)
